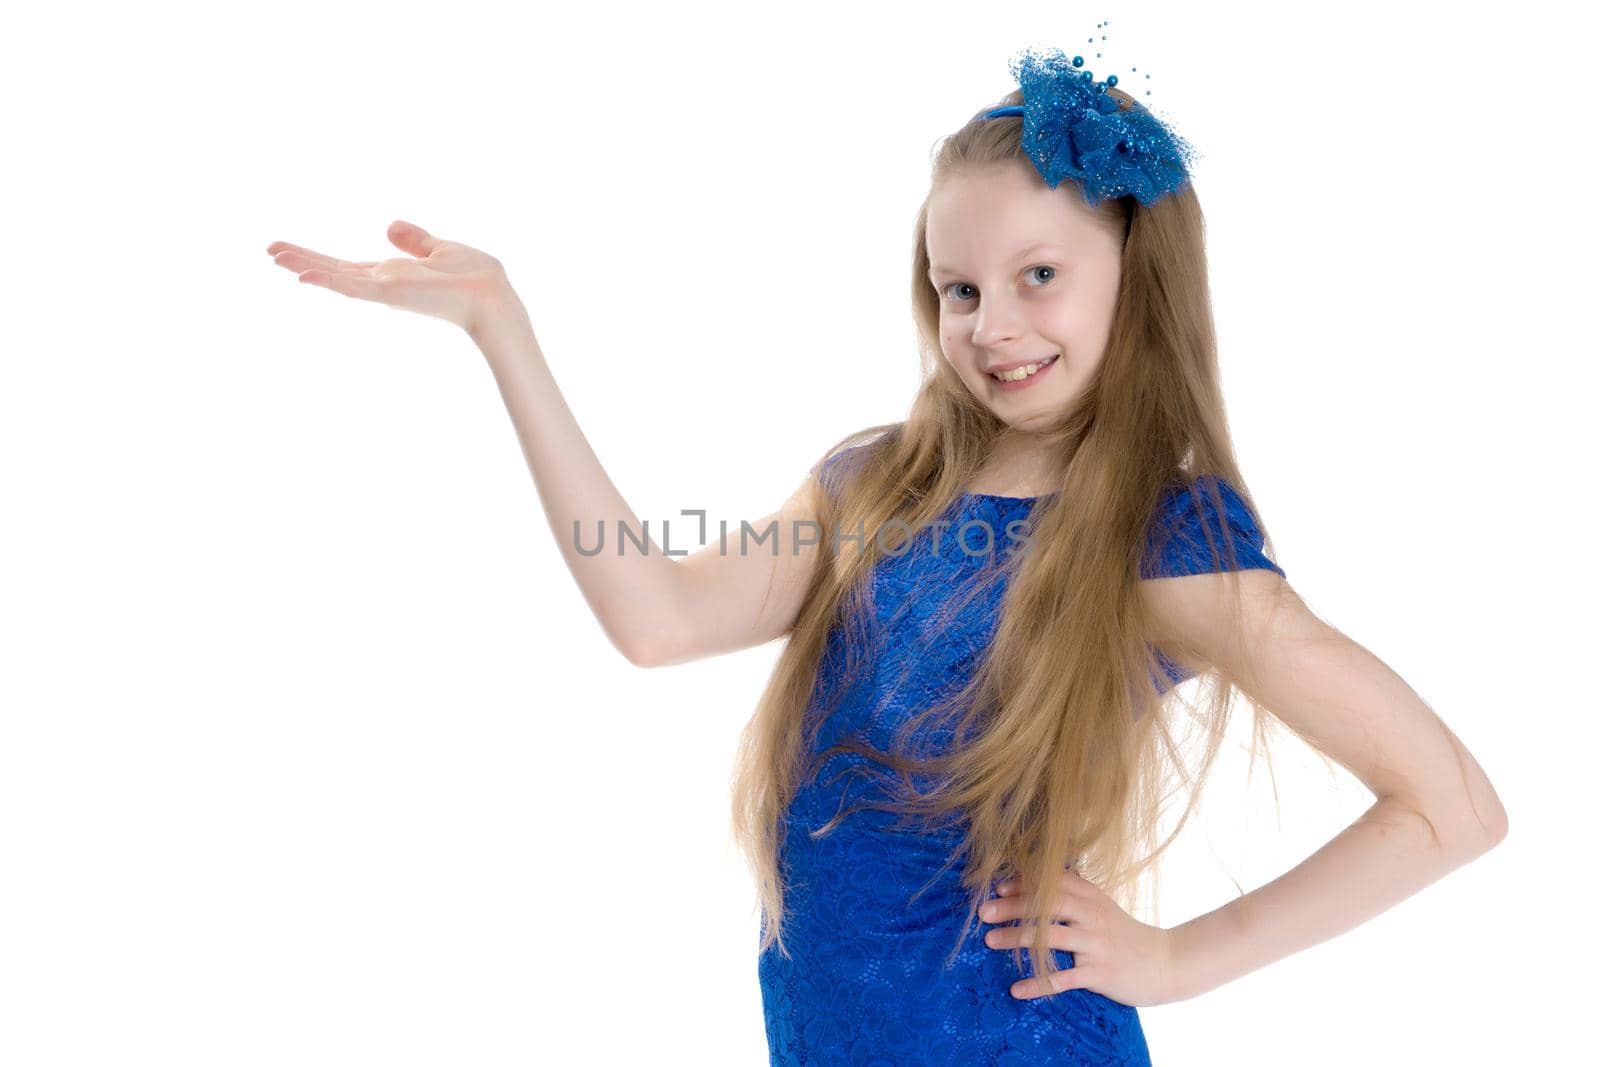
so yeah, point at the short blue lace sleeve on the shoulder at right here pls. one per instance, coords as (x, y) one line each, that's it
(1190, 537)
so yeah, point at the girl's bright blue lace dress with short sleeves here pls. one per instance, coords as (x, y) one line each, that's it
(866, 981)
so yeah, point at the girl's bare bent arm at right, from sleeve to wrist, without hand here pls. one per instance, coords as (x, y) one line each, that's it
(1436, 809)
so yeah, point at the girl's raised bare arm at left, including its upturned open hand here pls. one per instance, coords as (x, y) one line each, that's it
(654, 609)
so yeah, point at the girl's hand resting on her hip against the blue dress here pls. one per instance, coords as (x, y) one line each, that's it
(1113, 953)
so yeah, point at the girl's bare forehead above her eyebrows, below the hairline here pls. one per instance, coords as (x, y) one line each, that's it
(994, 214)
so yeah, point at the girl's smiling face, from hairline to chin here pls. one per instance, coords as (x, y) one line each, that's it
(1026, 276)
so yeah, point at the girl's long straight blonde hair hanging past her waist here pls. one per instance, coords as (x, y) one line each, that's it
(1068, 743)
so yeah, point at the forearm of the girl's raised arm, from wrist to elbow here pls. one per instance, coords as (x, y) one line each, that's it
(634, 594)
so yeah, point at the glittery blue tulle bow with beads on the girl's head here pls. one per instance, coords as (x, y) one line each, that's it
(1073, 129)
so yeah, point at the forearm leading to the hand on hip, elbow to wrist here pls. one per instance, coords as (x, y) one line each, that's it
(1369, 868)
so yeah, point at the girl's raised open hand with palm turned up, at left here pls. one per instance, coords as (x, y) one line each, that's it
(442, 279)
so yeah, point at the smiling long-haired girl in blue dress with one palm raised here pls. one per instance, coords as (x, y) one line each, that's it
(990, 610)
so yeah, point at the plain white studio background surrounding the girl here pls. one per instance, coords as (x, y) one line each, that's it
(310, 748)
